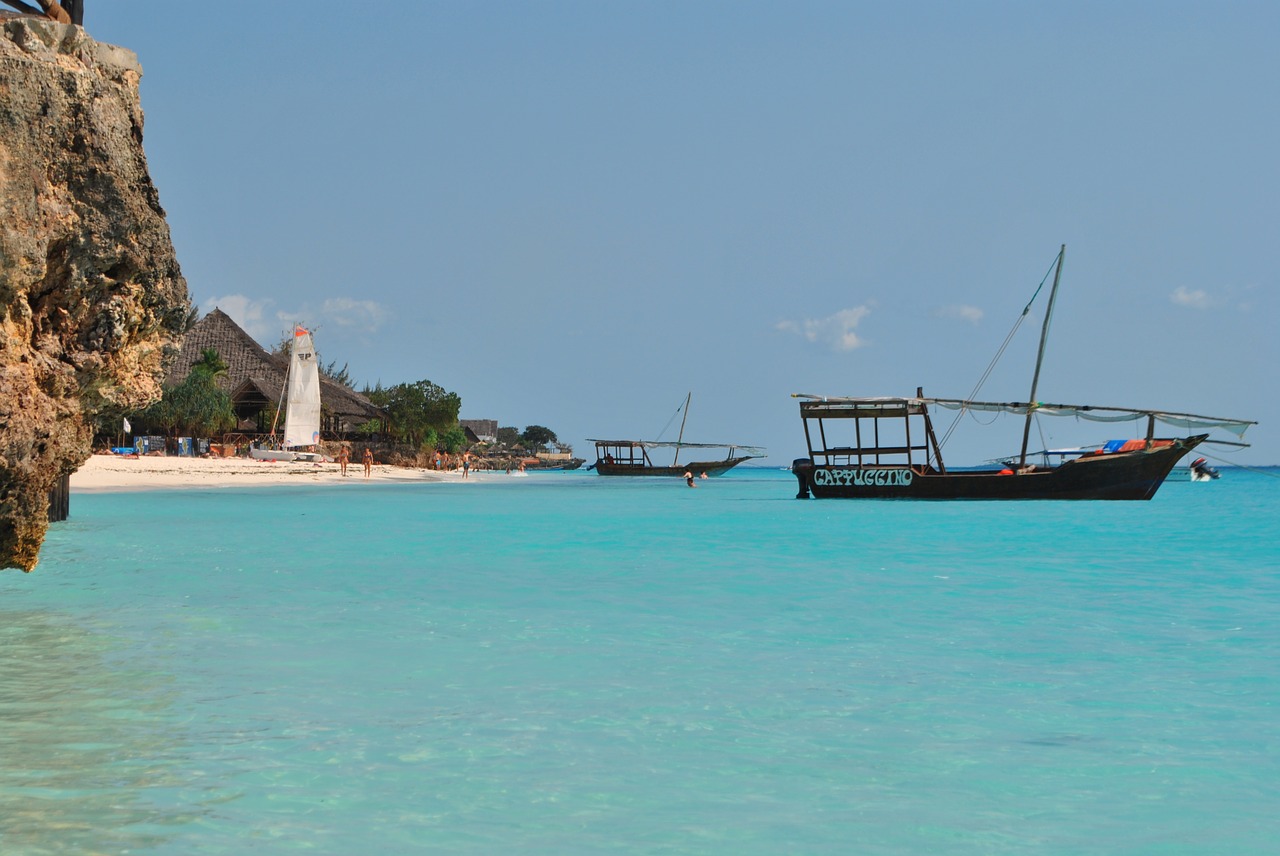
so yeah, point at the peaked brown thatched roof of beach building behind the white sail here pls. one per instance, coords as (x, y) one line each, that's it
(255, 378)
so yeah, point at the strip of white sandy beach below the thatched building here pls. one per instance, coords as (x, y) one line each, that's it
(103, 473)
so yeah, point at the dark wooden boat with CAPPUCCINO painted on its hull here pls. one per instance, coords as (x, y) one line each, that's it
(886, 448)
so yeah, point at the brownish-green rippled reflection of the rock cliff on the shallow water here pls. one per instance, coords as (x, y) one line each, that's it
(88, 743)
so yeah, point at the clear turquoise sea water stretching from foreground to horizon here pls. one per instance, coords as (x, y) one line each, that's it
(572, 665)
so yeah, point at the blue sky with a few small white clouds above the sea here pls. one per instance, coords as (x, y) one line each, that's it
(573, 214)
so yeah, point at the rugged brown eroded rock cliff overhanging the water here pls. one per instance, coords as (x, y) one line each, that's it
(92, 296)
